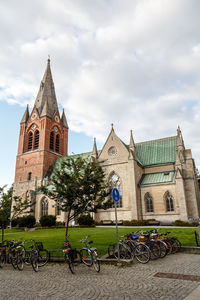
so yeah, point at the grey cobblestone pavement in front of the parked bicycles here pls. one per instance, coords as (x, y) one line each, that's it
(136, 281)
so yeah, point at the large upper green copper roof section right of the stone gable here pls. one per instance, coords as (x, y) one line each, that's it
(157, 152)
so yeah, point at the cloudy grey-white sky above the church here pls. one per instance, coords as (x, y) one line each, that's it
(132, 63)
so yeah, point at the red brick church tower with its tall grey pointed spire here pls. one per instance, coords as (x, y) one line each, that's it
(43, 138)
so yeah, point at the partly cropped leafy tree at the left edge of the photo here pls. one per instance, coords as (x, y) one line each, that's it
(8, 212)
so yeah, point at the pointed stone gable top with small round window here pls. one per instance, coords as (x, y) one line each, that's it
(114, 150)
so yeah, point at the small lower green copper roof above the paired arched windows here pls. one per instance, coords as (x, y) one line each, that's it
(158, 178)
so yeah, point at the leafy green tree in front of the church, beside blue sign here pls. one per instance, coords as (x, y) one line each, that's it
(78, 186)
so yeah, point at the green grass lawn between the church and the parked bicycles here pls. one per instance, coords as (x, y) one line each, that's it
(53, 238)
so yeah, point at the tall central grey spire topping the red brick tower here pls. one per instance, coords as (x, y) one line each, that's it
(46, 102)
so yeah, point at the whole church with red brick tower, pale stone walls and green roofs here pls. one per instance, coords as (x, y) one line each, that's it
(156, 179)
